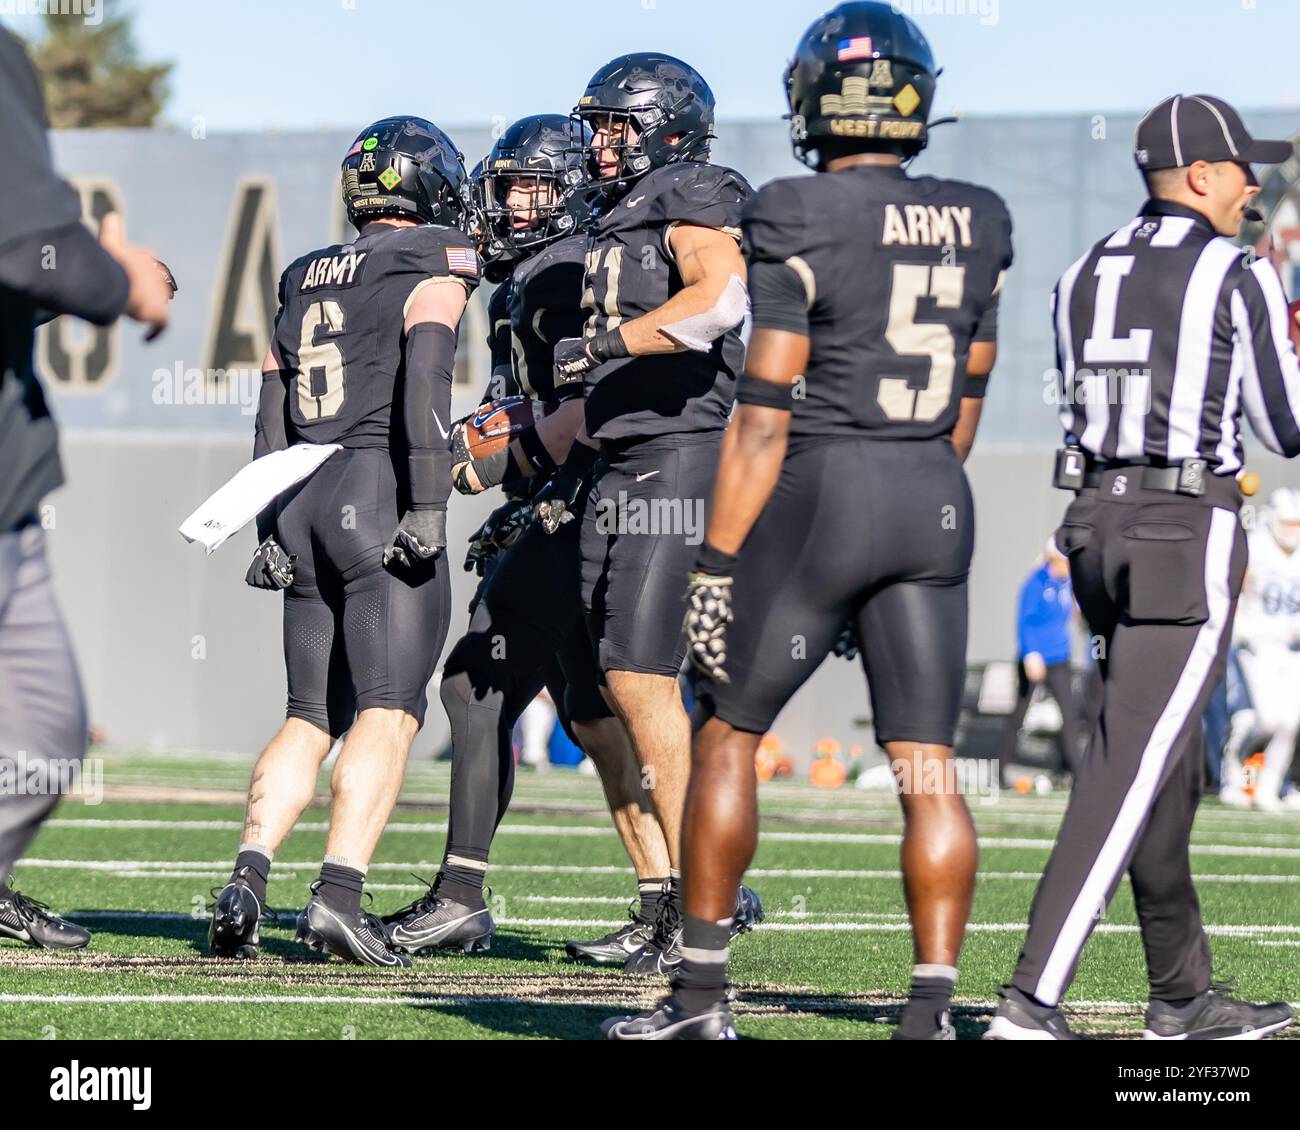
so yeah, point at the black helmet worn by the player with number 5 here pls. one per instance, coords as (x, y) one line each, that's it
(863, 79)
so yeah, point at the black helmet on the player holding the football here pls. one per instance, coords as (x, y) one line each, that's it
(545, 151)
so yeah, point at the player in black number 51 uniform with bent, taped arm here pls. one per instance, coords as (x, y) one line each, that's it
(657, 363)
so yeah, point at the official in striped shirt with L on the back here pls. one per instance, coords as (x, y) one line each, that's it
(1165, 332)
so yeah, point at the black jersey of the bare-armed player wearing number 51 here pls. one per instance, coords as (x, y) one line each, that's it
(631, 272)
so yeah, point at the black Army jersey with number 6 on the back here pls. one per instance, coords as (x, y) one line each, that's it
(341, 327)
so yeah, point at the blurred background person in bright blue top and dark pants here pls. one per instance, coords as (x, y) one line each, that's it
(1043, 635)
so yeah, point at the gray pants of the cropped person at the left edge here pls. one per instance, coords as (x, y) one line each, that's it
(42, 709)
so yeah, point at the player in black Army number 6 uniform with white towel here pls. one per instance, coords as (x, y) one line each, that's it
(362, 356)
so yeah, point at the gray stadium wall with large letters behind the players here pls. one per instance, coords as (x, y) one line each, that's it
(177, 652)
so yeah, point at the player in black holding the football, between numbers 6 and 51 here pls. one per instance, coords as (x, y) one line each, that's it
(527, 627)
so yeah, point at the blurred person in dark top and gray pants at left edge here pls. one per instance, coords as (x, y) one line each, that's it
(50, 265)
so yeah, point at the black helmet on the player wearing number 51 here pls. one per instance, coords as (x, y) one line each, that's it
(662, 99)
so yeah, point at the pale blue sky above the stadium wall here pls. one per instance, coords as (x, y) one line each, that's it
(305, 64)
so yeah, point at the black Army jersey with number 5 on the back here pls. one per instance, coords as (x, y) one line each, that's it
(900, 276)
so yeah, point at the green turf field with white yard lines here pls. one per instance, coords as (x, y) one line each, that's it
(831, 962)
